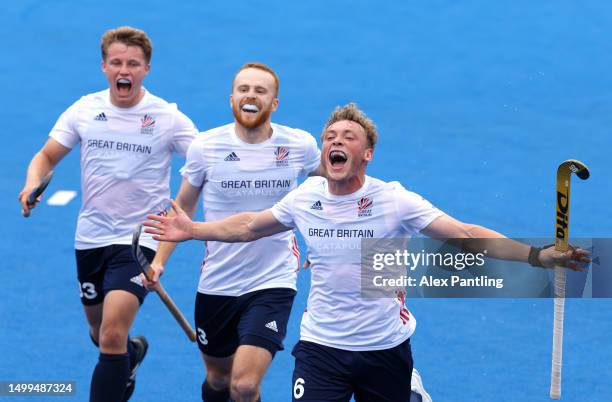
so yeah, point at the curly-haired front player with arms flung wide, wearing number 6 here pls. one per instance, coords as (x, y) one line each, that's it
(348, 344)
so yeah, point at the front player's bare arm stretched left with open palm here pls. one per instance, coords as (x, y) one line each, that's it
(242, 227)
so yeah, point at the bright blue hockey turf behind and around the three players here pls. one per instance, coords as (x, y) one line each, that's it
(477, 102)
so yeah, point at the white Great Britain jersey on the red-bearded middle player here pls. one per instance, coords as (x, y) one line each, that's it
(237, 177)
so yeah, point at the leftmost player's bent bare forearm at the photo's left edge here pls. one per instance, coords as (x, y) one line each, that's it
(41, 164)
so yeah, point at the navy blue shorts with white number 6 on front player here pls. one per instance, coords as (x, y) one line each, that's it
(324, 374)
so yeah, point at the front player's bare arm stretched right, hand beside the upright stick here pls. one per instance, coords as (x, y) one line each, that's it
(479, 238)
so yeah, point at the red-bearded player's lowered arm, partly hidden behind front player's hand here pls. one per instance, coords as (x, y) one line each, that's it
(187, 200)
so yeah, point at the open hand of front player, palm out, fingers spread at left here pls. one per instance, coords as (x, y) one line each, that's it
(175, 228)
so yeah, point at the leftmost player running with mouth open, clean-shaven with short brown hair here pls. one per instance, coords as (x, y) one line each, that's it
(127, 137)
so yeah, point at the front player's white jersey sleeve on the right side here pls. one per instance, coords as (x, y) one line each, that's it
(414, 211)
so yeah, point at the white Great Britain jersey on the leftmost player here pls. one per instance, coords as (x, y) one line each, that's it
(125, 163)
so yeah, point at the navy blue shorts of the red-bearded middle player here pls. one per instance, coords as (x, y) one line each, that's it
(257, 318)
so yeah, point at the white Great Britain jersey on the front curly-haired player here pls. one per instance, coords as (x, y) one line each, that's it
(333, 226)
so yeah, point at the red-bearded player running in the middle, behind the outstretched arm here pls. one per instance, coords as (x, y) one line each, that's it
(246, 290)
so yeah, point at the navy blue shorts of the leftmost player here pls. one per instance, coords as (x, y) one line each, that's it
(103, 269)
